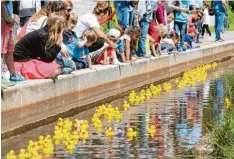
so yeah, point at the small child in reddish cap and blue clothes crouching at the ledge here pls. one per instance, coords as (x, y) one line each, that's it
(189, 38)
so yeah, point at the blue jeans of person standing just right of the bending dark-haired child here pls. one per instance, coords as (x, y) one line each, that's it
(144, 31)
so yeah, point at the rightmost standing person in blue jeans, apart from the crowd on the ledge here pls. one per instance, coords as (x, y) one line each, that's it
(220, 8)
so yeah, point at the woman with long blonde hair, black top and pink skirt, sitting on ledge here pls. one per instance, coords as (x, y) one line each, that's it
(35, 52)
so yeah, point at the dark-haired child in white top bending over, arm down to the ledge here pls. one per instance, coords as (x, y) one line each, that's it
(130, 36)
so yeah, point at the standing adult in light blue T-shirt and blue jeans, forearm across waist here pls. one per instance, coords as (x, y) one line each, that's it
(181, 10)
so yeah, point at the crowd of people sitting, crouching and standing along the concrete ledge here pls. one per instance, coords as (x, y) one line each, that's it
(55, 41)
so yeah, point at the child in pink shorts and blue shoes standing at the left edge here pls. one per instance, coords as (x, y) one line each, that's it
(7, 42)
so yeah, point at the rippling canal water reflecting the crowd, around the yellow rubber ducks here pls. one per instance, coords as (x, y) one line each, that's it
(181, 118)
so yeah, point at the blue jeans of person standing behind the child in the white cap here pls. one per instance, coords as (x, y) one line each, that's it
(123, 12)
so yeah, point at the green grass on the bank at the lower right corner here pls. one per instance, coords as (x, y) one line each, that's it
(222, 136)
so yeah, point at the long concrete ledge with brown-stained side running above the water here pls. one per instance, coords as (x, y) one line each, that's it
(35, 100)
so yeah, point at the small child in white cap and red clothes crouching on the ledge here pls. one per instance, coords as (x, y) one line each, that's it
(109, 55)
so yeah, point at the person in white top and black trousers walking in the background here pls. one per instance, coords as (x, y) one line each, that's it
(206, 21)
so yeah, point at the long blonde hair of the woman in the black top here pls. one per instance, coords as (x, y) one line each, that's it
(55, 25)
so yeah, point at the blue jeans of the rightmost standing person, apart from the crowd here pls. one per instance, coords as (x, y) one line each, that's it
(219, 20)
